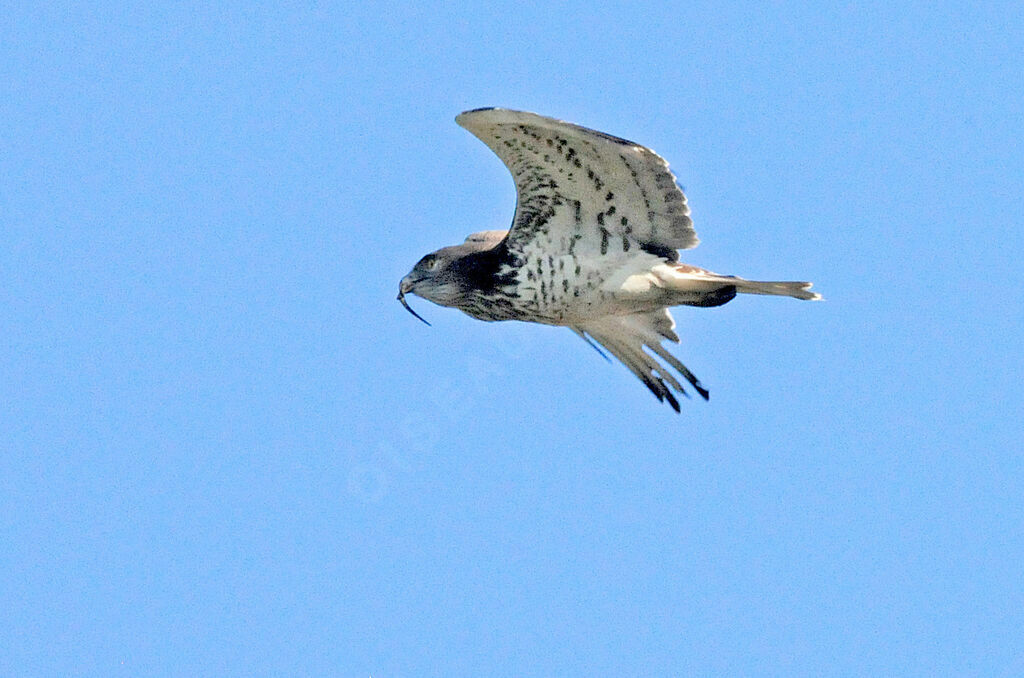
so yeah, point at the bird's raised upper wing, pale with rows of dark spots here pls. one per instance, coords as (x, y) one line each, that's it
(576, 184)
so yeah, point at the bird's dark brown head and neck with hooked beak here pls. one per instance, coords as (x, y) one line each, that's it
(451, 275)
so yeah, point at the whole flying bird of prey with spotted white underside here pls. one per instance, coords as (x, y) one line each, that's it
(592, 247)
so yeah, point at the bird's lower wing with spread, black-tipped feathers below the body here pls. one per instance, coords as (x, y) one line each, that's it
(627, 336)
